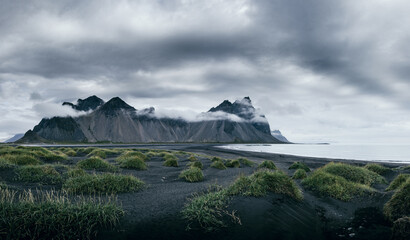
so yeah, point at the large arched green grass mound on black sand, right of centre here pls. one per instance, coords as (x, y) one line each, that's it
(264, 181)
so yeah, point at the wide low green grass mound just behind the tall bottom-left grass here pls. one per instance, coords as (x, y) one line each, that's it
(103, 183)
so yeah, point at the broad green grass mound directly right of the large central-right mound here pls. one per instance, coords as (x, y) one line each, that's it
(334, 186)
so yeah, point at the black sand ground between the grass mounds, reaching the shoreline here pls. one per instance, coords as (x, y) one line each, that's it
(155, 212)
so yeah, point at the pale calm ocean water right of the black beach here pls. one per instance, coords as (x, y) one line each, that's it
(382, 153)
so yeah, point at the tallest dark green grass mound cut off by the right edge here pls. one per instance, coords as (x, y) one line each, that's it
(399, 205)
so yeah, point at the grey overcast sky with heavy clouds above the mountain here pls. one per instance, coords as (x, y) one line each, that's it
(321, 71)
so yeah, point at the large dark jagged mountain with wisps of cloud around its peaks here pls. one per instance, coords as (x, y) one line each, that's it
(116, 121)
